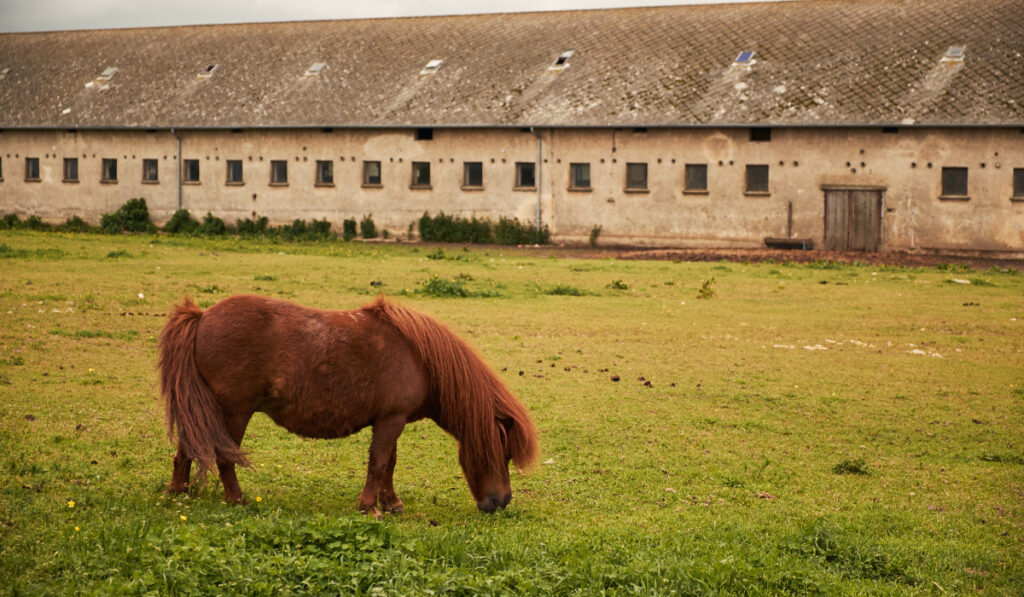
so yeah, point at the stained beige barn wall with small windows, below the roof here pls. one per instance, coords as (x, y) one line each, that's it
(907, 165)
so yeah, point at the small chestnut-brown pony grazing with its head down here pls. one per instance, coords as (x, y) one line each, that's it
(329, 374)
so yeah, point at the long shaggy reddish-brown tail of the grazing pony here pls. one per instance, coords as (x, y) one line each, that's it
(192, 407)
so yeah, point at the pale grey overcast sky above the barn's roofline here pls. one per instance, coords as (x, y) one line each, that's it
(63, 15)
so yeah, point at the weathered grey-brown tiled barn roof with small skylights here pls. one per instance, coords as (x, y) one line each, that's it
(814, 63)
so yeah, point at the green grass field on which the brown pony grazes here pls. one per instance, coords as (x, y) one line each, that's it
(806, 430)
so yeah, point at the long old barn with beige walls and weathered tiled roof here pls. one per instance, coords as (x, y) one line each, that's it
(874, 125)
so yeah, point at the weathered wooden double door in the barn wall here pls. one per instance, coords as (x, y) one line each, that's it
(854, 221)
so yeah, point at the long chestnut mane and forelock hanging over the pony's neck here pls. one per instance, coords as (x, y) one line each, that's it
(471, 395)
